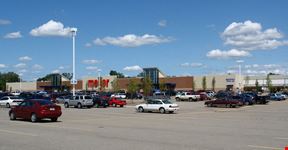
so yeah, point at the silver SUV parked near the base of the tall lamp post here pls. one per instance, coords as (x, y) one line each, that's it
(79, 101)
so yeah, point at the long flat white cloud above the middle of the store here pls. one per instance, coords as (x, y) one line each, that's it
(132, 40)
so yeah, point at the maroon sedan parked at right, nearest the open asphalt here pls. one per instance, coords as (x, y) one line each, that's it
(224, 102)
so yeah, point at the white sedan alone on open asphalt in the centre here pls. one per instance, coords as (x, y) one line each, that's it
(158, 105)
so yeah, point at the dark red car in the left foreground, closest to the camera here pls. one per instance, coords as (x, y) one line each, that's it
(36, 109)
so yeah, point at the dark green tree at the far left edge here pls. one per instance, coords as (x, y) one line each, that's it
(8, 77)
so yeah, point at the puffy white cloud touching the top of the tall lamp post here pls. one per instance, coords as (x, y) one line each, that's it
(51, 28)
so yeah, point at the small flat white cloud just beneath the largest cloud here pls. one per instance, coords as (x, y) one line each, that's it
(233, 53)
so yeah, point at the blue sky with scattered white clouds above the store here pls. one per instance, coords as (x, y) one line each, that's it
(179, 37)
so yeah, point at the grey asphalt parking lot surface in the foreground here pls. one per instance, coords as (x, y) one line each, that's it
(194, 127)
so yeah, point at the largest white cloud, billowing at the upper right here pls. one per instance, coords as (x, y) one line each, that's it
(249, 35)
